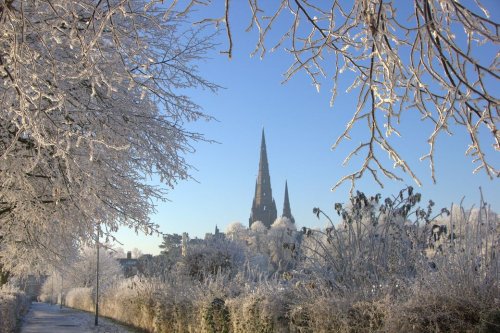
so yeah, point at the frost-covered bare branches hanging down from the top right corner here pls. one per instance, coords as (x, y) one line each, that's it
(436, 58)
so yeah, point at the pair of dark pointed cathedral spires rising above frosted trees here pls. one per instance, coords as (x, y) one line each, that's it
(264, 206)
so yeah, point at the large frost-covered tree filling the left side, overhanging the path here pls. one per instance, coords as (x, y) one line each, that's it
(92, 97)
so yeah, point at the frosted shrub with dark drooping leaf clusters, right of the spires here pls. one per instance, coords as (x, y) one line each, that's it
(376, 240)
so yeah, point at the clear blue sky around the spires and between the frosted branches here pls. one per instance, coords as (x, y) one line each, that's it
(300, 129)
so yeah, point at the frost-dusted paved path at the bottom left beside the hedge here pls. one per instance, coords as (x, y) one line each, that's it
(46, 318)
